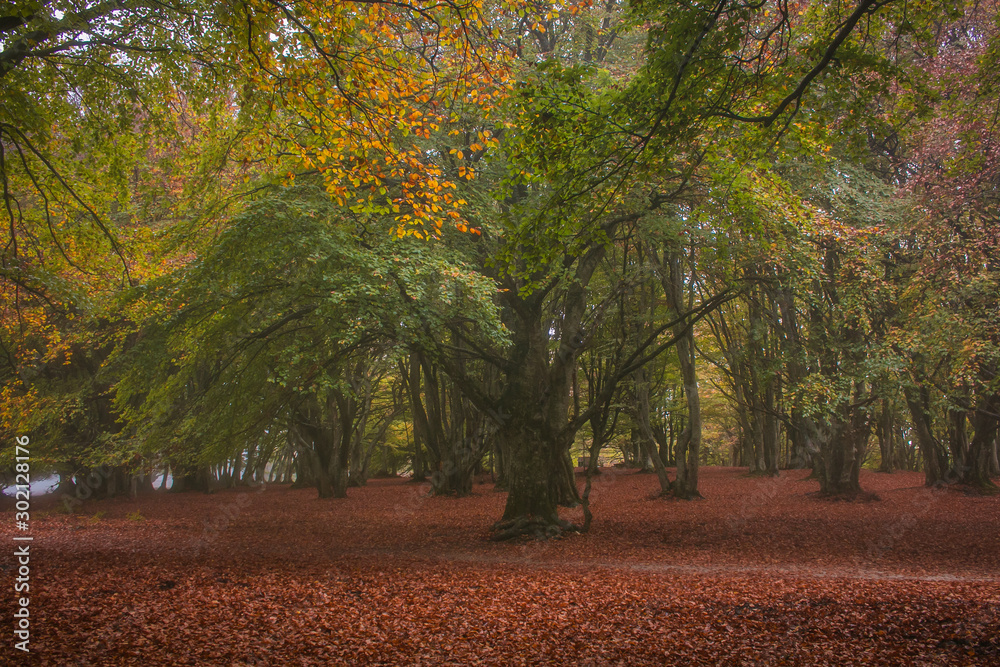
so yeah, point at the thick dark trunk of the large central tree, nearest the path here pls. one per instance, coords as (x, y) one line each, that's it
(532, 411)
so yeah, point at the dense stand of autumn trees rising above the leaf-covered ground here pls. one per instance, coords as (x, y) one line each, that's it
(318, 243)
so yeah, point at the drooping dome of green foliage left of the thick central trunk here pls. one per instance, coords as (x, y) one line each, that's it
(273, 316)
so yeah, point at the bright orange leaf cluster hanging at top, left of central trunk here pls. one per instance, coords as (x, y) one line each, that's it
(371, 84)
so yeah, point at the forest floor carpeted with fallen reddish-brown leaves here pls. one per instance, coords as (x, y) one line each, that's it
(759, 572)
